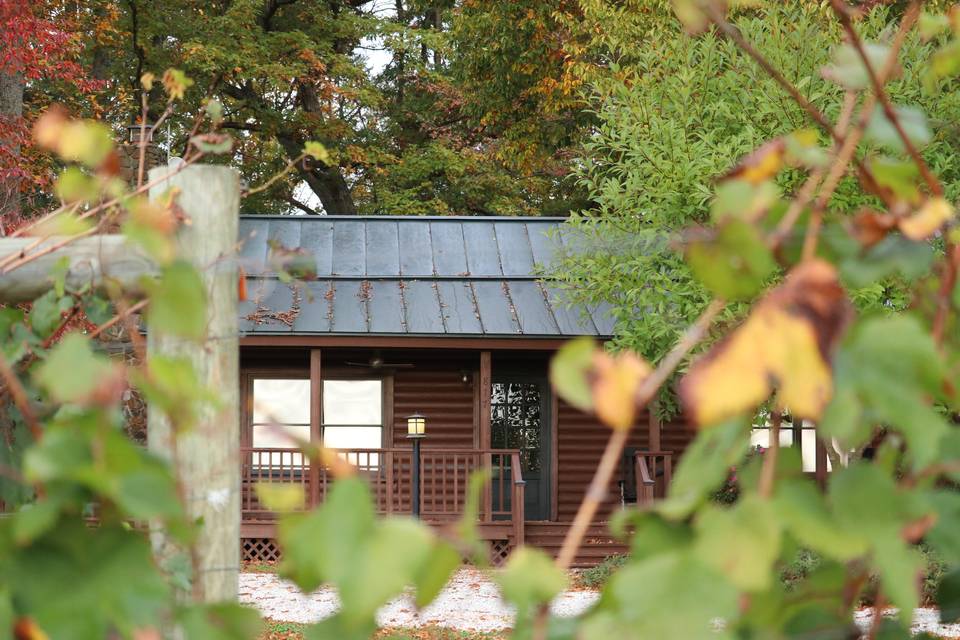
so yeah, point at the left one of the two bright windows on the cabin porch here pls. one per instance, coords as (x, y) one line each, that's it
(281, 412)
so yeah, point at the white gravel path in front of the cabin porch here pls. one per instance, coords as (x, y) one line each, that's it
(470, 601)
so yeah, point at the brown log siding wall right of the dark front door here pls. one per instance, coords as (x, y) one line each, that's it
(580, 443)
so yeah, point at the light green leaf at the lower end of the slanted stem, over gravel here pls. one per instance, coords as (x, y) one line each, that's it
(530, 579)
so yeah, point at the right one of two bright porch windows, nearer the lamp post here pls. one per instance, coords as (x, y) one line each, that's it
(353, 414)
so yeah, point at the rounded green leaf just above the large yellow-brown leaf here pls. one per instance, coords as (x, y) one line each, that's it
(735, 264)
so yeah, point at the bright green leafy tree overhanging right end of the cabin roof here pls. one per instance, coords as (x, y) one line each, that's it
(667, 131)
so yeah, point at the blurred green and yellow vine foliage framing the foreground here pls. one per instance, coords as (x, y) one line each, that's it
(882, 381)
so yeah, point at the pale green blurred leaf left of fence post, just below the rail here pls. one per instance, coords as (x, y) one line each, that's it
(72, 372)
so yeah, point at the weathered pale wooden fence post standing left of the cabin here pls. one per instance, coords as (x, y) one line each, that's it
(207, 459)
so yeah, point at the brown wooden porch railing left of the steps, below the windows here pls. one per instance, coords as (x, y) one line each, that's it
(444, 480)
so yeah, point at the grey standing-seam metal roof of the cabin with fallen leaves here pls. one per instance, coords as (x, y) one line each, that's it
(403, 275)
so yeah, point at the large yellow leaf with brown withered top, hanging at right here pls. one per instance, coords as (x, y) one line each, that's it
(784, 343)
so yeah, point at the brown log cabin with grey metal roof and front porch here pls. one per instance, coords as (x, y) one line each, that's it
(420, 353)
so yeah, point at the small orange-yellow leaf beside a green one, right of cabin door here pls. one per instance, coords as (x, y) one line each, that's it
(615, 387)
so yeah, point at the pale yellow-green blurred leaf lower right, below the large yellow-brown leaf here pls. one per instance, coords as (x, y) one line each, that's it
(742, 541)
